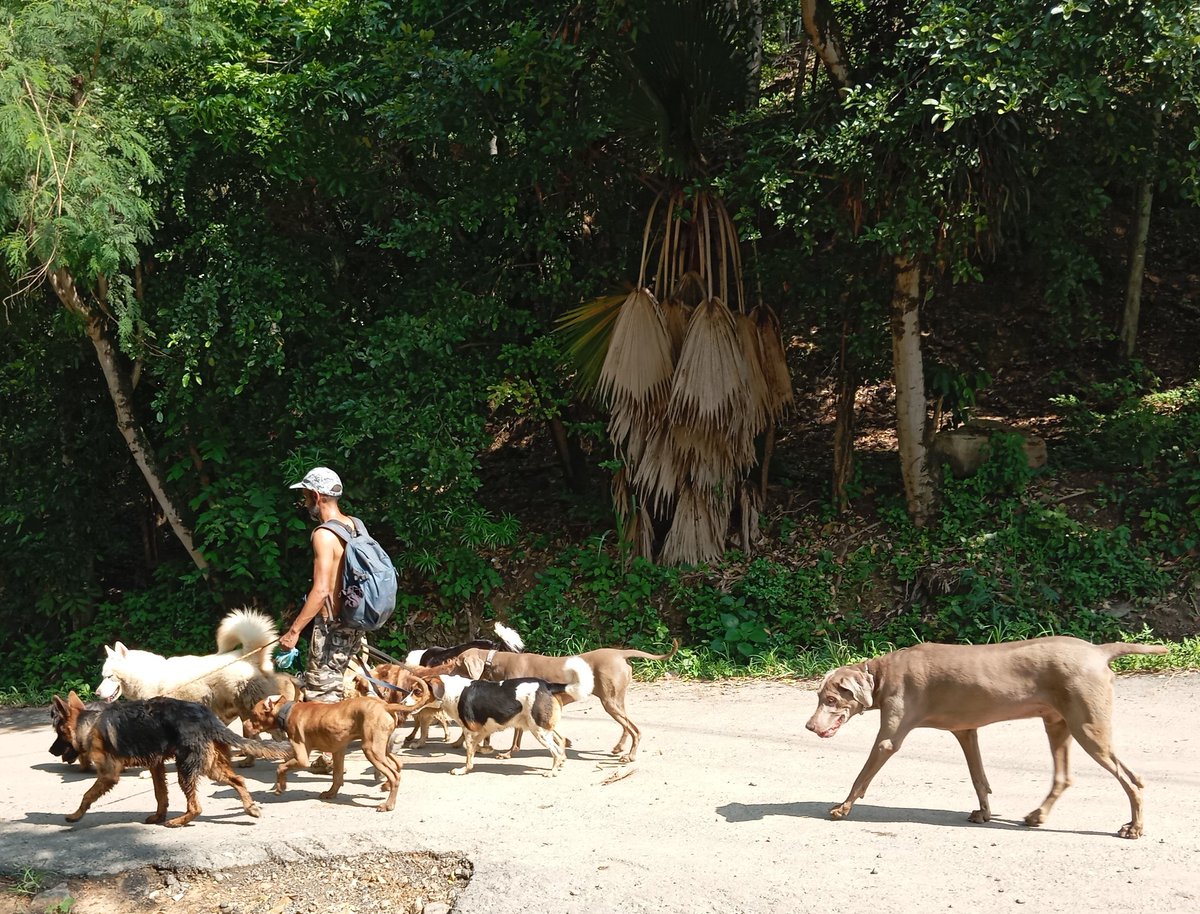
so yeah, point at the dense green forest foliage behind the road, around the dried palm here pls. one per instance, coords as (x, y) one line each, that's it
(341, 233)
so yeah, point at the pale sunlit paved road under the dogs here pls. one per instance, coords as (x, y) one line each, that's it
(725, 813)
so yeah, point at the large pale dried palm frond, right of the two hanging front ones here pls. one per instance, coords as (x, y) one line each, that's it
(710, 380)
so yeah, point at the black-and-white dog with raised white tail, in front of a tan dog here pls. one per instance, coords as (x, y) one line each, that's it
(484, 708)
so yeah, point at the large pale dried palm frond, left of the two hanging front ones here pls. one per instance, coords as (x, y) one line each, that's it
(639, 364)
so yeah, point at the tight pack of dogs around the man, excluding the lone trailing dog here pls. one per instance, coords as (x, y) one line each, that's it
(179, 709)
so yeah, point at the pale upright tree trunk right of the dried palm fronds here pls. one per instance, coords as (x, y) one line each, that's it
(910, 381)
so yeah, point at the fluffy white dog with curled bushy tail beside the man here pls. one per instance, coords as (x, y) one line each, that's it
(230, 682)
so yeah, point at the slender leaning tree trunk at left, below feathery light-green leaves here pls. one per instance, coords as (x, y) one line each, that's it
(121, 389)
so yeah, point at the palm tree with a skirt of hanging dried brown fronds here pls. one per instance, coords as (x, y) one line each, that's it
(692, 377)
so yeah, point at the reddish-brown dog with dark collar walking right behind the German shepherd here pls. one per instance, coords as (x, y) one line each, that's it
(331, 727)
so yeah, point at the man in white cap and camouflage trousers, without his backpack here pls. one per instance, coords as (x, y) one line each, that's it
(333, 644)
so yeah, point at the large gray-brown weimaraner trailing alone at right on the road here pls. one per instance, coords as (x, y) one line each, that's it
(1065, 682)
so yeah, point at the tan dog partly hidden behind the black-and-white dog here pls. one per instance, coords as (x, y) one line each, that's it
(611, 674)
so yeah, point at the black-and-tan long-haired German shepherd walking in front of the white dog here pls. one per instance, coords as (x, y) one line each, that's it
(148, 733)
